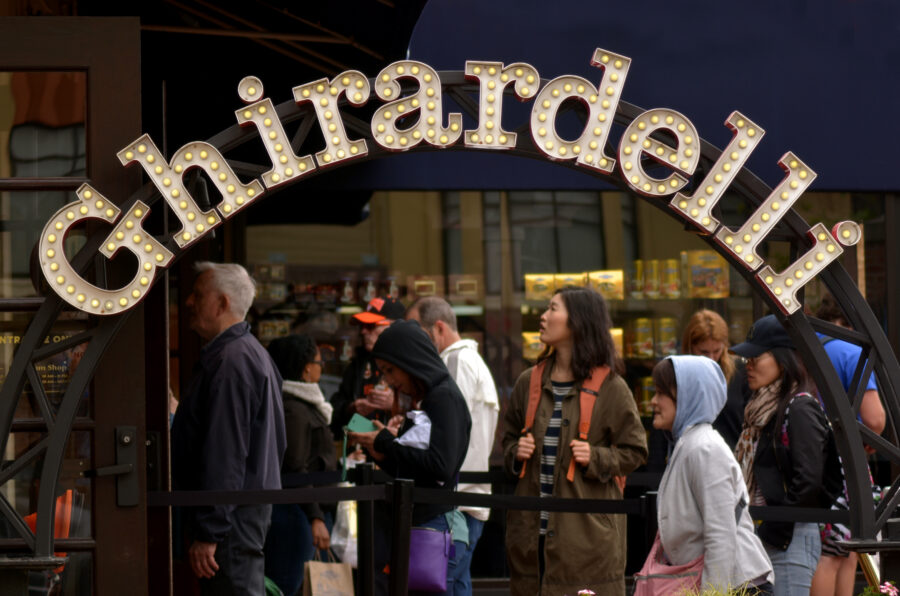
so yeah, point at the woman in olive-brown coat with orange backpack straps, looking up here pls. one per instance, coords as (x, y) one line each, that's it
(543, 444)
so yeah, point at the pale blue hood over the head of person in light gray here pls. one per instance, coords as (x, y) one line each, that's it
(702, 391)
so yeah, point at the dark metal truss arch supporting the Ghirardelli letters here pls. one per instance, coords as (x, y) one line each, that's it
(866, 520)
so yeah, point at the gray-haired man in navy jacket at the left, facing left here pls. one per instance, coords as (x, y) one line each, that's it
(228, 433)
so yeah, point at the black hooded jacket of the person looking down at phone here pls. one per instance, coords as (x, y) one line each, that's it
(406, 345)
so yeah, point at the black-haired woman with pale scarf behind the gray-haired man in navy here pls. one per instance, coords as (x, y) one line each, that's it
(298, 530)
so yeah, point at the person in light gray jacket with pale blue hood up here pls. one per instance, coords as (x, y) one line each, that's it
(702, 496)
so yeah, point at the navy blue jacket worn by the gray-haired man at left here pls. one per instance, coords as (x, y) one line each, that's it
(228, 433)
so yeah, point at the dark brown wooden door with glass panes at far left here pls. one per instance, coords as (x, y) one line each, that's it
(60, 126)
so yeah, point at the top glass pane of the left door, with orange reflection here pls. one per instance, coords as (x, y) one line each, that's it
(47, 129)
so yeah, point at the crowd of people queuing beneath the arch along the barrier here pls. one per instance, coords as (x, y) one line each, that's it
(743, 426)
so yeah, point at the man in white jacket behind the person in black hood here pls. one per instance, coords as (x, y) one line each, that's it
(471, 374)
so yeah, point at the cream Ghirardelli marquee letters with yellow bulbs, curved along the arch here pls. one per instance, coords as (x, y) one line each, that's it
(639, 142)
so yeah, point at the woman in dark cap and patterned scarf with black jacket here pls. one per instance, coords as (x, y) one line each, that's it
(782, 451)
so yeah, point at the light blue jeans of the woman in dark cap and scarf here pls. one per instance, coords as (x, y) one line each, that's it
(795, 566)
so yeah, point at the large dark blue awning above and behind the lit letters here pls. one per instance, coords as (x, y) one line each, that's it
(820, 77)
